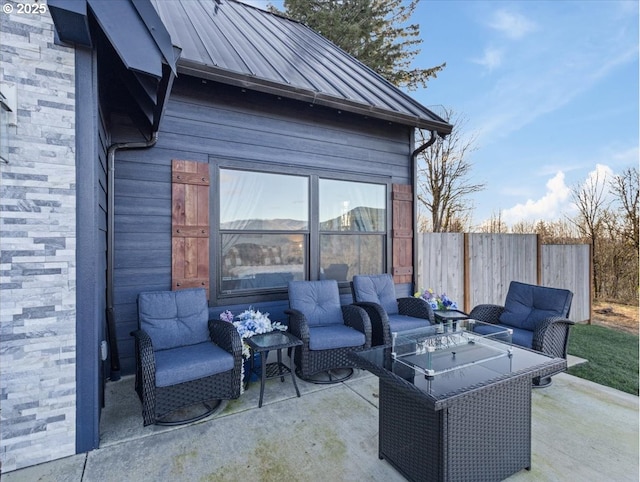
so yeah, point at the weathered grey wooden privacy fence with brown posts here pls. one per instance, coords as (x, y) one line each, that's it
(474, 268)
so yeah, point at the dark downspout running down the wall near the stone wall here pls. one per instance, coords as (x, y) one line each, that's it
(111, 168)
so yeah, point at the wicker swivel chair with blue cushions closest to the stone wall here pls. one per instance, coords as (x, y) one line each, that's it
(183, 359)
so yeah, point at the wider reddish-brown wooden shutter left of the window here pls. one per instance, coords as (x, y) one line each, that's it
(189, 225)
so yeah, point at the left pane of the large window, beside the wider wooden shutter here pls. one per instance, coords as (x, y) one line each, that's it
(264, 228)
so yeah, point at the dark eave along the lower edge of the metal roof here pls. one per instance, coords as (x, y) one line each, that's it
(291, 92)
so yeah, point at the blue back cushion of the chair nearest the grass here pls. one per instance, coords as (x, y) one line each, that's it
(526, 305)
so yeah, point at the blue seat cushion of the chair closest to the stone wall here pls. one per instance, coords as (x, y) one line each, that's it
(192, 362)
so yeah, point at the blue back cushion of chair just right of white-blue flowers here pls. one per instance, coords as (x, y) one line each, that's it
(319, 301)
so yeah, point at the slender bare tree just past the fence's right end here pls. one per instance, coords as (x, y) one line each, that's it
(589, 199)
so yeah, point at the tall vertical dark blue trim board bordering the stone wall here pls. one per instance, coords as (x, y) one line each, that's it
(91, 282)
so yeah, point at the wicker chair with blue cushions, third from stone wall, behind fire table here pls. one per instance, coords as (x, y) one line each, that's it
(376, 294)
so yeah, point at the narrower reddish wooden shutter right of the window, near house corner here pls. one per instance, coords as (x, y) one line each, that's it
(402, 233)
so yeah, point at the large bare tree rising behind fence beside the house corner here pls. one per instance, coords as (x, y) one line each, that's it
(443, 176)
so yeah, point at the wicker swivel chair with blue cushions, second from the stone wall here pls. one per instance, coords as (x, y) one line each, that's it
(328, 330)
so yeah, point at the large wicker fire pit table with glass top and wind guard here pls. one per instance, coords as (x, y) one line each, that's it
(455, 404)
